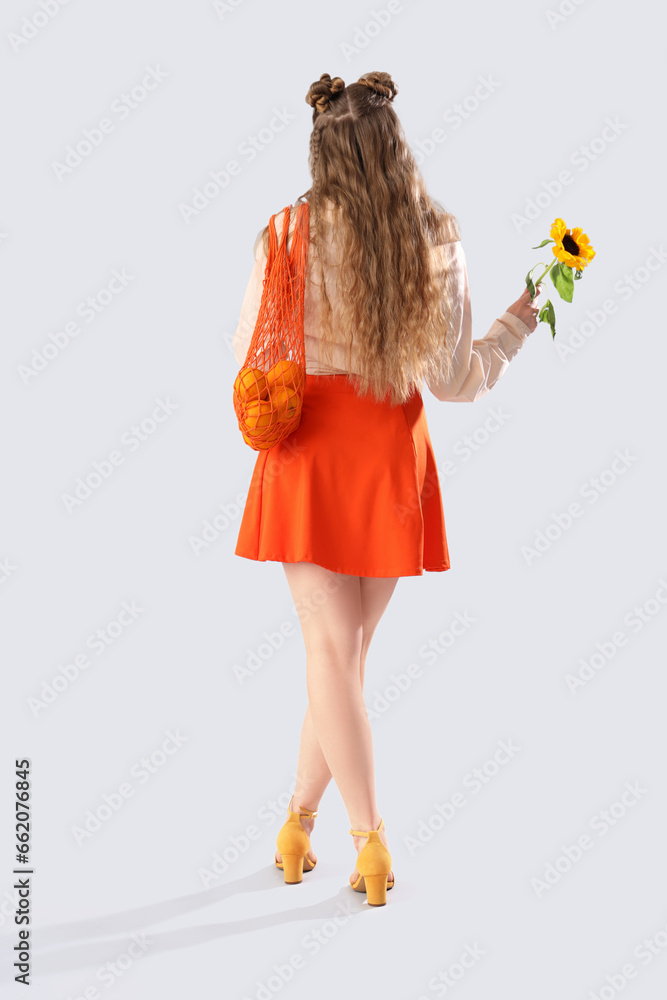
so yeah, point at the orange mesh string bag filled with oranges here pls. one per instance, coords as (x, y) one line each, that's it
(268, 390)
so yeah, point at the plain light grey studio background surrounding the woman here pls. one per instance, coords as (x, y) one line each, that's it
(168, 336)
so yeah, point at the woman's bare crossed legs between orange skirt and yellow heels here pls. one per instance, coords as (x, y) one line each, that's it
(338, 614)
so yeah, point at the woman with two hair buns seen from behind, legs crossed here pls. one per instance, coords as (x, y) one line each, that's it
(350, 501)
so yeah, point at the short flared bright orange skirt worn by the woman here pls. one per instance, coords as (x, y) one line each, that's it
(354, 488)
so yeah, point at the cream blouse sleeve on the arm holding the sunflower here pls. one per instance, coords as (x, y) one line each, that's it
(477, 364)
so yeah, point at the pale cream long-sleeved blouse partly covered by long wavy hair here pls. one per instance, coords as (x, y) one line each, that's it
(477, 364)
